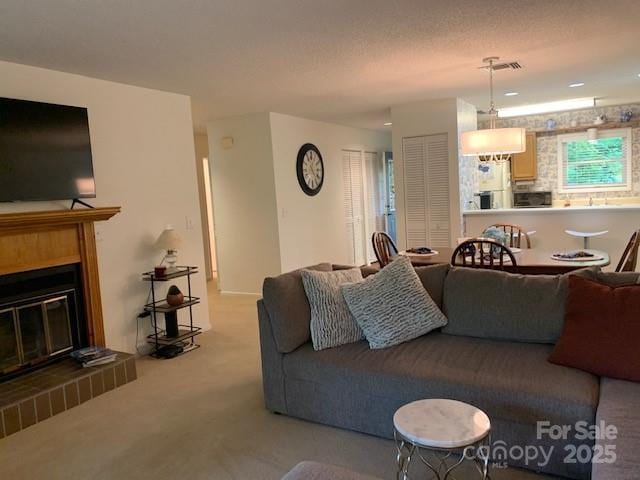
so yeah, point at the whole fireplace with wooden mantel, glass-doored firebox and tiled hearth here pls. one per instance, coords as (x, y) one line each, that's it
(50, 305)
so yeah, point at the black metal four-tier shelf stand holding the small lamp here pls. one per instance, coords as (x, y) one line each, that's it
(186, 334)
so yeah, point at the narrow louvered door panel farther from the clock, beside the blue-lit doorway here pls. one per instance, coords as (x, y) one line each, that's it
(374, 174)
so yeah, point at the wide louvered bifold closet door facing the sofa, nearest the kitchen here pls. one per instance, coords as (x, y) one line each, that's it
(426, 171)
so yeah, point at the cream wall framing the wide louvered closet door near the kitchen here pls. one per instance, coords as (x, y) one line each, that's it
(419, 119)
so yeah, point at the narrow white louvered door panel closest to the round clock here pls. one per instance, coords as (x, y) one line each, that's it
(352, 174)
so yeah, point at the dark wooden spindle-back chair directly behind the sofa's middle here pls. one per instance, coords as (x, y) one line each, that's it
(482, 253)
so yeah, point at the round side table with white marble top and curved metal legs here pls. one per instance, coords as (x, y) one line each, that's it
(445, 428)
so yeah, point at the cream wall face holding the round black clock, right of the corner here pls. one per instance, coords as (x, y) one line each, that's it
(312, 229)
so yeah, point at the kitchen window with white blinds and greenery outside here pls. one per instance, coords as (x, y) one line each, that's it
(602, 164)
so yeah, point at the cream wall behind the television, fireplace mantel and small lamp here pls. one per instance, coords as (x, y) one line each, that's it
(143, 151)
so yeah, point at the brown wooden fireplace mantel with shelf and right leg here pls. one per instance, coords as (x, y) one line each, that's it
(35, 240)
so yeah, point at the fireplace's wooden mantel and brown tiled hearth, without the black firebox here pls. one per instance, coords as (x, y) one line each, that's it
(37, 240)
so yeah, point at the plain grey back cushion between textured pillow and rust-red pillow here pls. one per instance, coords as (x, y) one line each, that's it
(492, 304)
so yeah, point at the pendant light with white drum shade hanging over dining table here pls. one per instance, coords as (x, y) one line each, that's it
(496, 144)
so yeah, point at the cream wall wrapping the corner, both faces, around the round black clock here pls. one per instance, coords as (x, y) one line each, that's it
(264, 223)
